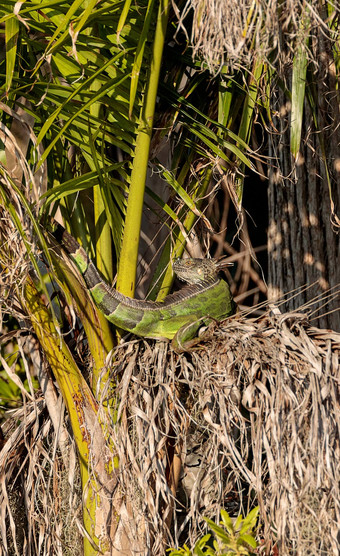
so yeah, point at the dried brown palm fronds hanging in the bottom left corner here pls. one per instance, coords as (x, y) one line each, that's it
(40, 498)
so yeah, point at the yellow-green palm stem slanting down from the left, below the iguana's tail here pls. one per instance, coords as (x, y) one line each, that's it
(81, 405)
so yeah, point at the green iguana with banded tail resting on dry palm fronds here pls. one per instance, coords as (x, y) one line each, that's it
(179, 316)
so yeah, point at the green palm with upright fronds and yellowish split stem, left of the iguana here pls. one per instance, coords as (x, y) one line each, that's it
(78, 108)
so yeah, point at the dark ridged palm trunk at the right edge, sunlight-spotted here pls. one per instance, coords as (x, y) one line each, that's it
(303, 242)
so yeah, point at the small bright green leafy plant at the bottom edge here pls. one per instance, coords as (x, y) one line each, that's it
(232, 538)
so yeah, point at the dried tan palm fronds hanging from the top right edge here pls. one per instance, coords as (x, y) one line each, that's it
(231, 33)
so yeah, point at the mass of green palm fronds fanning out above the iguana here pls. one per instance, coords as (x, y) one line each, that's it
(87, 74)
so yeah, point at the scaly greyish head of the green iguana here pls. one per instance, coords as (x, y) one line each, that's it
(194, 271)
